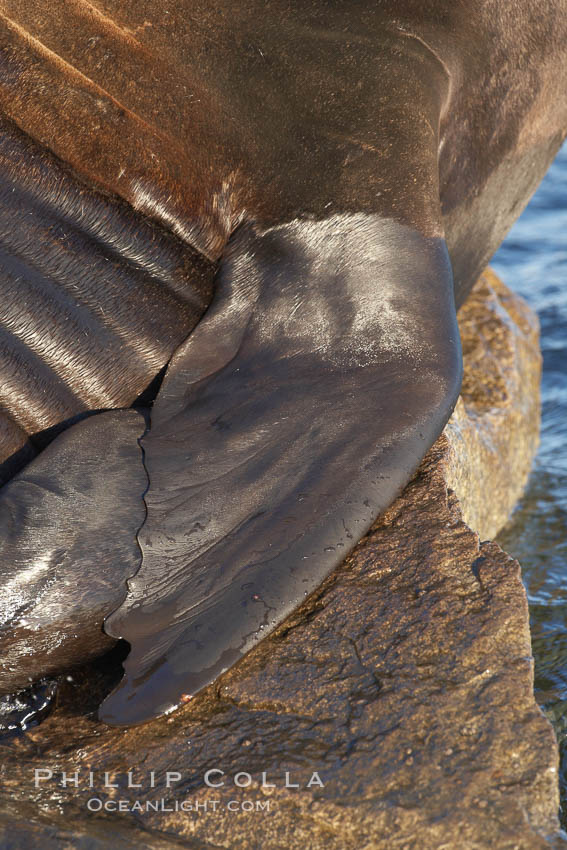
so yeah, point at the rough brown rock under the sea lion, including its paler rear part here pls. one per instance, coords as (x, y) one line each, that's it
(405, 682)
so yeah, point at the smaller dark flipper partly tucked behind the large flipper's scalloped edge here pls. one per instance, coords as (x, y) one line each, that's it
(68, 526)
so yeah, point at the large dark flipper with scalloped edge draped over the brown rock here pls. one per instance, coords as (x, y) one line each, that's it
(295, 412)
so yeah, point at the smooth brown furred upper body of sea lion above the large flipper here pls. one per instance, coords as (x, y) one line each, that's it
(200, 117)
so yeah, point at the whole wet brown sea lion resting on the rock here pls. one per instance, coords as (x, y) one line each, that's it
(350, 168)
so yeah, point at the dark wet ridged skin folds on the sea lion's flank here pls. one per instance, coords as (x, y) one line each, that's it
(94, 300)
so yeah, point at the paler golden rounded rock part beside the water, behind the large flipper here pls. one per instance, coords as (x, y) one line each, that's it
(493, 433)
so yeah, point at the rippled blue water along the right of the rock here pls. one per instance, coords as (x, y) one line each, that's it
(533, 262)
